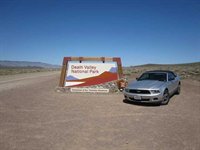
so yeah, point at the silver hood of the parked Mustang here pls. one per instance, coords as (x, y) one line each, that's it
(146, 84)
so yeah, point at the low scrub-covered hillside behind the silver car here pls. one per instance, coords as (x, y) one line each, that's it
(187, 70)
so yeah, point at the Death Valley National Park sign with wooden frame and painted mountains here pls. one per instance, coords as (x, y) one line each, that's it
(89, 71)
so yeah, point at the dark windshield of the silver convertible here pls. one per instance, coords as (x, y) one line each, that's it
(153, 76)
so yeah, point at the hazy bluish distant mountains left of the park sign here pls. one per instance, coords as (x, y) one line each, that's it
(5, 64)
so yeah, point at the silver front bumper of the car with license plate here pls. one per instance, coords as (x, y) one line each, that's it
(143, 98)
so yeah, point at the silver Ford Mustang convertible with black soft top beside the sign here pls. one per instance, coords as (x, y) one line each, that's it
(153, 87)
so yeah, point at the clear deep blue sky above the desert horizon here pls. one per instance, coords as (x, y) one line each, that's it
(138, 31)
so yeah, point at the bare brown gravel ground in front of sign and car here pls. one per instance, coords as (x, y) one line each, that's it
(33, 116)
